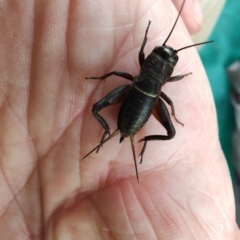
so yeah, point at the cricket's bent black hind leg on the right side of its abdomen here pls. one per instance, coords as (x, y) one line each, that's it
(163, 116)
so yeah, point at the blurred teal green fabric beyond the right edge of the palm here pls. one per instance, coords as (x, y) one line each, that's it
(216, 58)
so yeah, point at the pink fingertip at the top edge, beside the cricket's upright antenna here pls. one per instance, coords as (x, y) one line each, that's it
(191, 14)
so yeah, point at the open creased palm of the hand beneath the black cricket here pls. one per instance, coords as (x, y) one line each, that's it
(46, 127)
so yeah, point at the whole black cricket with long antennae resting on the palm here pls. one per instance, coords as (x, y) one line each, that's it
(143, 97)
